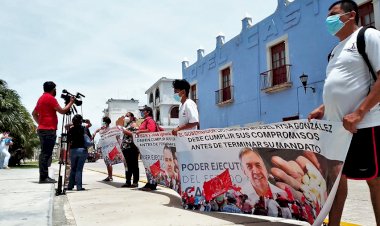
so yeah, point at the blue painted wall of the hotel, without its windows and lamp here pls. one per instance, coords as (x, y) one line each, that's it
(308, 45)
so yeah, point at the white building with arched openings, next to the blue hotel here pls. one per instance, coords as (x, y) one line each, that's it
(161, 100)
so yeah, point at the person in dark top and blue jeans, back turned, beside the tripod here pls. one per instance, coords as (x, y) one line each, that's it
(78, 152)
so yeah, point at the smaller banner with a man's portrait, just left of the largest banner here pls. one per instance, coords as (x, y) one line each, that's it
(158, 153)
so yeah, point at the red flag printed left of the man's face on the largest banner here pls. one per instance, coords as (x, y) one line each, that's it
(217, 185)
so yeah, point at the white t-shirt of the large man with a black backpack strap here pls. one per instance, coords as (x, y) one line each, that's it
(348, 79)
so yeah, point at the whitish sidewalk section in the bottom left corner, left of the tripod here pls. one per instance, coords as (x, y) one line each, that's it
(23, 201)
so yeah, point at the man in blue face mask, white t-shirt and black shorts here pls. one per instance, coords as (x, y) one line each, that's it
(352, 96)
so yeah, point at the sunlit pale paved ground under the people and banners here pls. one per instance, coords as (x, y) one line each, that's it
(25, 202)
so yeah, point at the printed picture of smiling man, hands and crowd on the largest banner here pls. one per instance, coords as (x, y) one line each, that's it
(291, 184)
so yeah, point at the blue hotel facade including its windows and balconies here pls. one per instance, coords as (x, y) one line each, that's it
(254, 78)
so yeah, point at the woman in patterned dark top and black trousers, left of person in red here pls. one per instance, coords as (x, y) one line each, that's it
(130, 152)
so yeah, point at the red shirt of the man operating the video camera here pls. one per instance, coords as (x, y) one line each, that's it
(47, 115)
